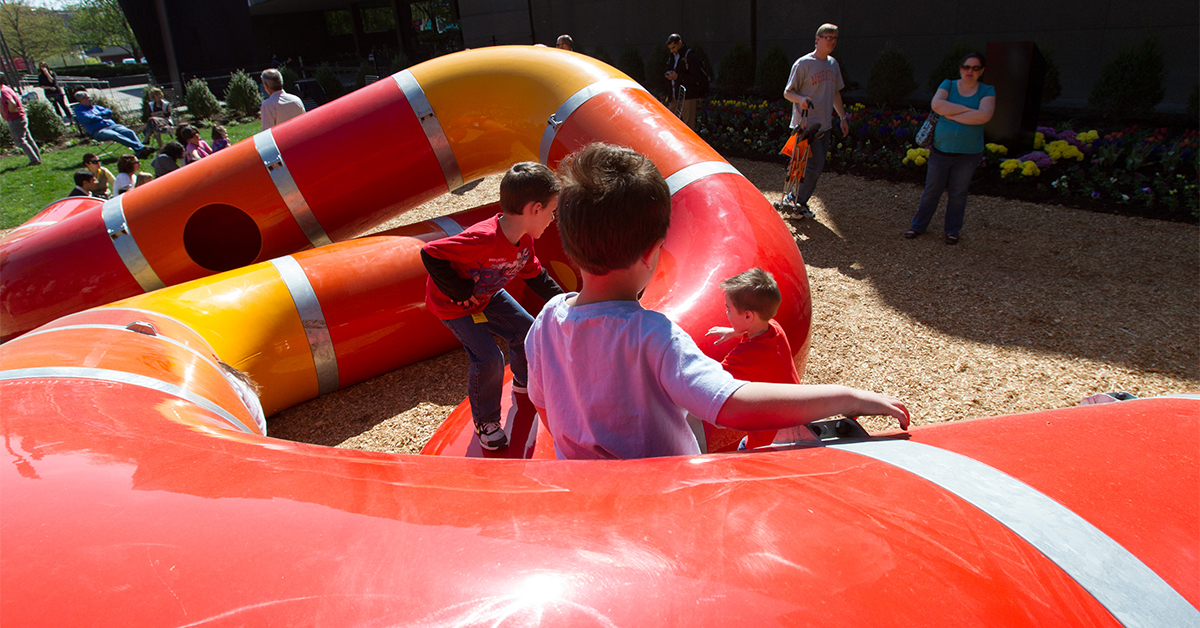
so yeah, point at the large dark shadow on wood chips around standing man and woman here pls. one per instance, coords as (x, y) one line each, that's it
(1049, 279)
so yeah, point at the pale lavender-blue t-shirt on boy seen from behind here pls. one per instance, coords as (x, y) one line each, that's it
(617, 381)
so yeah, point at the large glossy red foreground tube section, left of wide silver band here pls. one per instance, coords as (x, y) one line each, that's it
(280, 534)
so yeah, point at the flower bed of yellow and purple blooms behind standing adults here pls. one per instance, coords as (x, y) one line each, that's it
(1138, 171)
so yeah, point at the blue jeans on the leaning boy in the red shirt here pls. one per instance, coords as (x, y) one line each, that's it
(485, 380)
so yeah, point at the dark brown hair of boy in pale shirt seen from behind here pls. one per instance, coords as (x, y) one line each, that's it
(614, 207)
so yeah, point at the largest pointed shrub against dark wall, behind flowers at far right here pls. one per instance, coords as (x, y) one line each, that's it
(1132, 83)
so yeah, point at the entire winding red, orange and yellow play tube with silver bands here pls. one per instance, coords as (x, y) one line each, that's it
(139, 492)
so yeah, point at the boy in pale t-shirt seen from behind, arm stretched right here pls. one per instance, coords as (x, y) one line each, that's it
(616, 381)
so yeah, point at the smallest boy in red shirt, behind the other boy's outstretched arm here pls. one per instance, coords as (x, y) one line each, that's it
(763, 354)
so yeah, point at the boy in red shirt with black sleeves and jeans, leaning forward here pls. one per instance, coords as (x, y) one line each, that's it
(466, 290)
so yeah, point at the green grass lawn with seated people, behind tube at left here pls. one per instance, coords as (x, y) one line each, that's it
(25, 192)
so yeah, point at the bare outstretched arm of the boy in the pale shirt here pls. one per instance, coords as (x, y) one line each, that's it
(760, 406)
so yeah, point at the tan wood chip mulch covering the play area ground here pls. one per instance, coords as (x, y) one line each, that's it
(1036, 308)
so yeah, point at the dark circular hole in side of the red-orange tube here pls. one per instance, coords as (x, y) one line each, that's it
(223, 238)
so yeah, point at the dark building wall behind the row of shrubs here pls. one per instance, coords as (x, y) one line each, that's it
(1082, 34)
